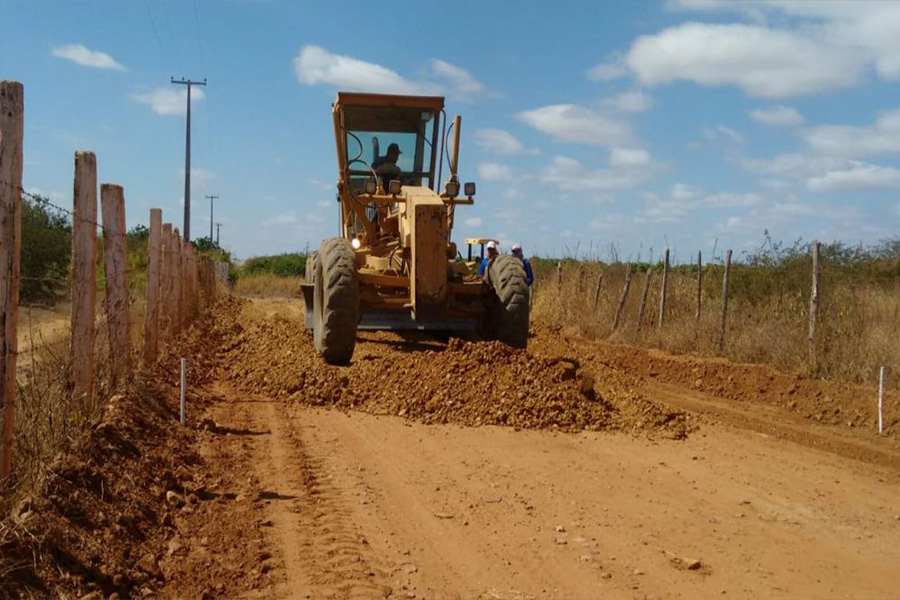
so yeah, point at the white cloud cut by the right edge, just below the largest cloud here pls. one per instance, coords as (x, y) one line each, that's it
(882, 137)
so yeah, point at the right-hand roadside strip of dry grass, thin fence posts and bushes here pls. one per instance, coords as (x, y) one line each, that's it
(825, 310)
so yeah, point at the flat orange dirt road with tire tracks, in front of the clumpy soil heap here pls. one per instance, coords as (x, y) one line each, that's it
(338, 503)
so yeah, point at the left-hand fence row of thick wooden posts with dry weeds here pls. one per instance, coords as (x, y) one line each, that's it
(54, 381)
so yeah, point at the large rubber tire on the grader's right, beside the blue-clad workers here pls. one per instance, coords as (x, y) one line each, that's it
(507, 312)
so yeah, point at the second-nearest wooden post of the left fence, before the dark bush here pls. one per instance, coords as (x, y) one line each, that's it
(84, 276)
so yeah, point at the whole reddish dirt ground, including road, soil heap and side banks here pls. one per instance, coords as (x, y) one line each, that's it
(573, 491)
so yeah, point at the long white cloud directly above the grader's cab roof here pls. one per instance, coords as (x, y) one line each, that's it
(315, 65)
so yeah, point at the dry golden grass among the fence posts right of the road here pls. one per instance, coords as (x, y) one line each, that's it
(767, 320)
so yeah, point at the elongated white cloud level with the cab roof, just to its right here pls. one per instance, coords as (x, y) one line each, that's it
(577, 124)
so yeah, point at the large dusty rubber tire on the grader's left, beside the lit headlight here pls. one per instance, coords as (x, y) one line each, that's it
(335, 301)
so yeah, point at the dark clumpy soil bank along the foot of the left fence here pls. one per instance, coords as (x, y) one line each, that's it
(109, 520)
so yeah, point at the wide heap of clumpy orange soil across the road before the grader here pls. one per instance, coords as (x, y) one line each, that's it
(469, 383)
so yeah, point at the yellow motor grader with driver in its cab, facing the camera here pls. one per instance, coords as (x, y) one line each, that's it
(394, 265)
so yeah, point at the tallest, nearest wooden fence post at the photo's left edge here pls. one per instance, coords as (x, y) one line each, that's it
(12, 100)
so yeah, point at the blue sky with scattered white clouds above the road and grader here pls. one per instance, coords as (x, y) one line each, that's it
(688, 124)
